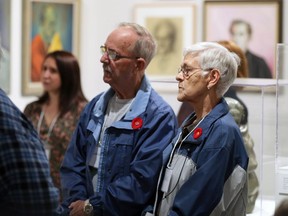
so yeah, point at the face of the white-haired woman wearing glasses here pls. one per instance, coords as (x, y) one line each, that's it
(193, 85)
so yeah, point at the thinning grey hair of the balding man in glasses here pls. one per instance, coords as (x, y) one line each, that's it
(145, 46)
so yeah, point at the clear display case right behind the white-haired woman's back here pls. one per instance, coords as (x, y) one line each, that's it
(259, 96)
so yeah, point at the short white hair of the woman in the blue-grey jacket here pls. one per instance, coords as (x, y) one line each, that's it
(212, 55)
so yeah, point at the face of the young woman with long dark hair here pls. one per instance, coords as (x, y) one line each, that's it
(50, 76)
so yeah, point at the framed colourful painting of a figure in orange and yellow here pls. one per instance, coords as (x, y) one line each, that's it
(48, 25)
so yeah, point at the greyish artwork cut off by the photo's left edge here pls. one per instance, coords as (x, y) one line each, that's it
(5, 27)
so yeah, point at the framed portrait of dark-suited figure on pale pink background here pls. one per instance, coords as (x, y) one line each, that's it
(255, 25)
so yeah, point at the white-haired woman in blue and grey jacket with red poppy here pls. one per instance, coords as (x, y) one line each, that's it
(205, 173)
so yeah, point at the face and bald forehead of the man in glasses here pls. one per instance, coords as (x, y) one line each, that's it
(122, 71)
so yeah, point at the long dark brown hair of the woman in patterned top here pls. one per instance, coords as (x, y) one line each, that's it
(70, 90)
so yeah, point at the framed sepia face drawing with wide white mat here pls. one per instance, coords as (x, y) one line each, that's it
(173, 26)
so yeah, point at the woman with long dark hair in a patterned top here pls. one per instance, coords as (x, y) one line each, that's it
(56, 112)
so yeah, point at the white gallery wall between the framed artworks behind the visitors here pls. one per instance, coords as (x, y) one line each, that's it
(97, 19)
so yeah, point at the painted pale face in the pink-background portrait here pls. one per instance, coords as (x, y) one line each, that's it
(240, 35)
